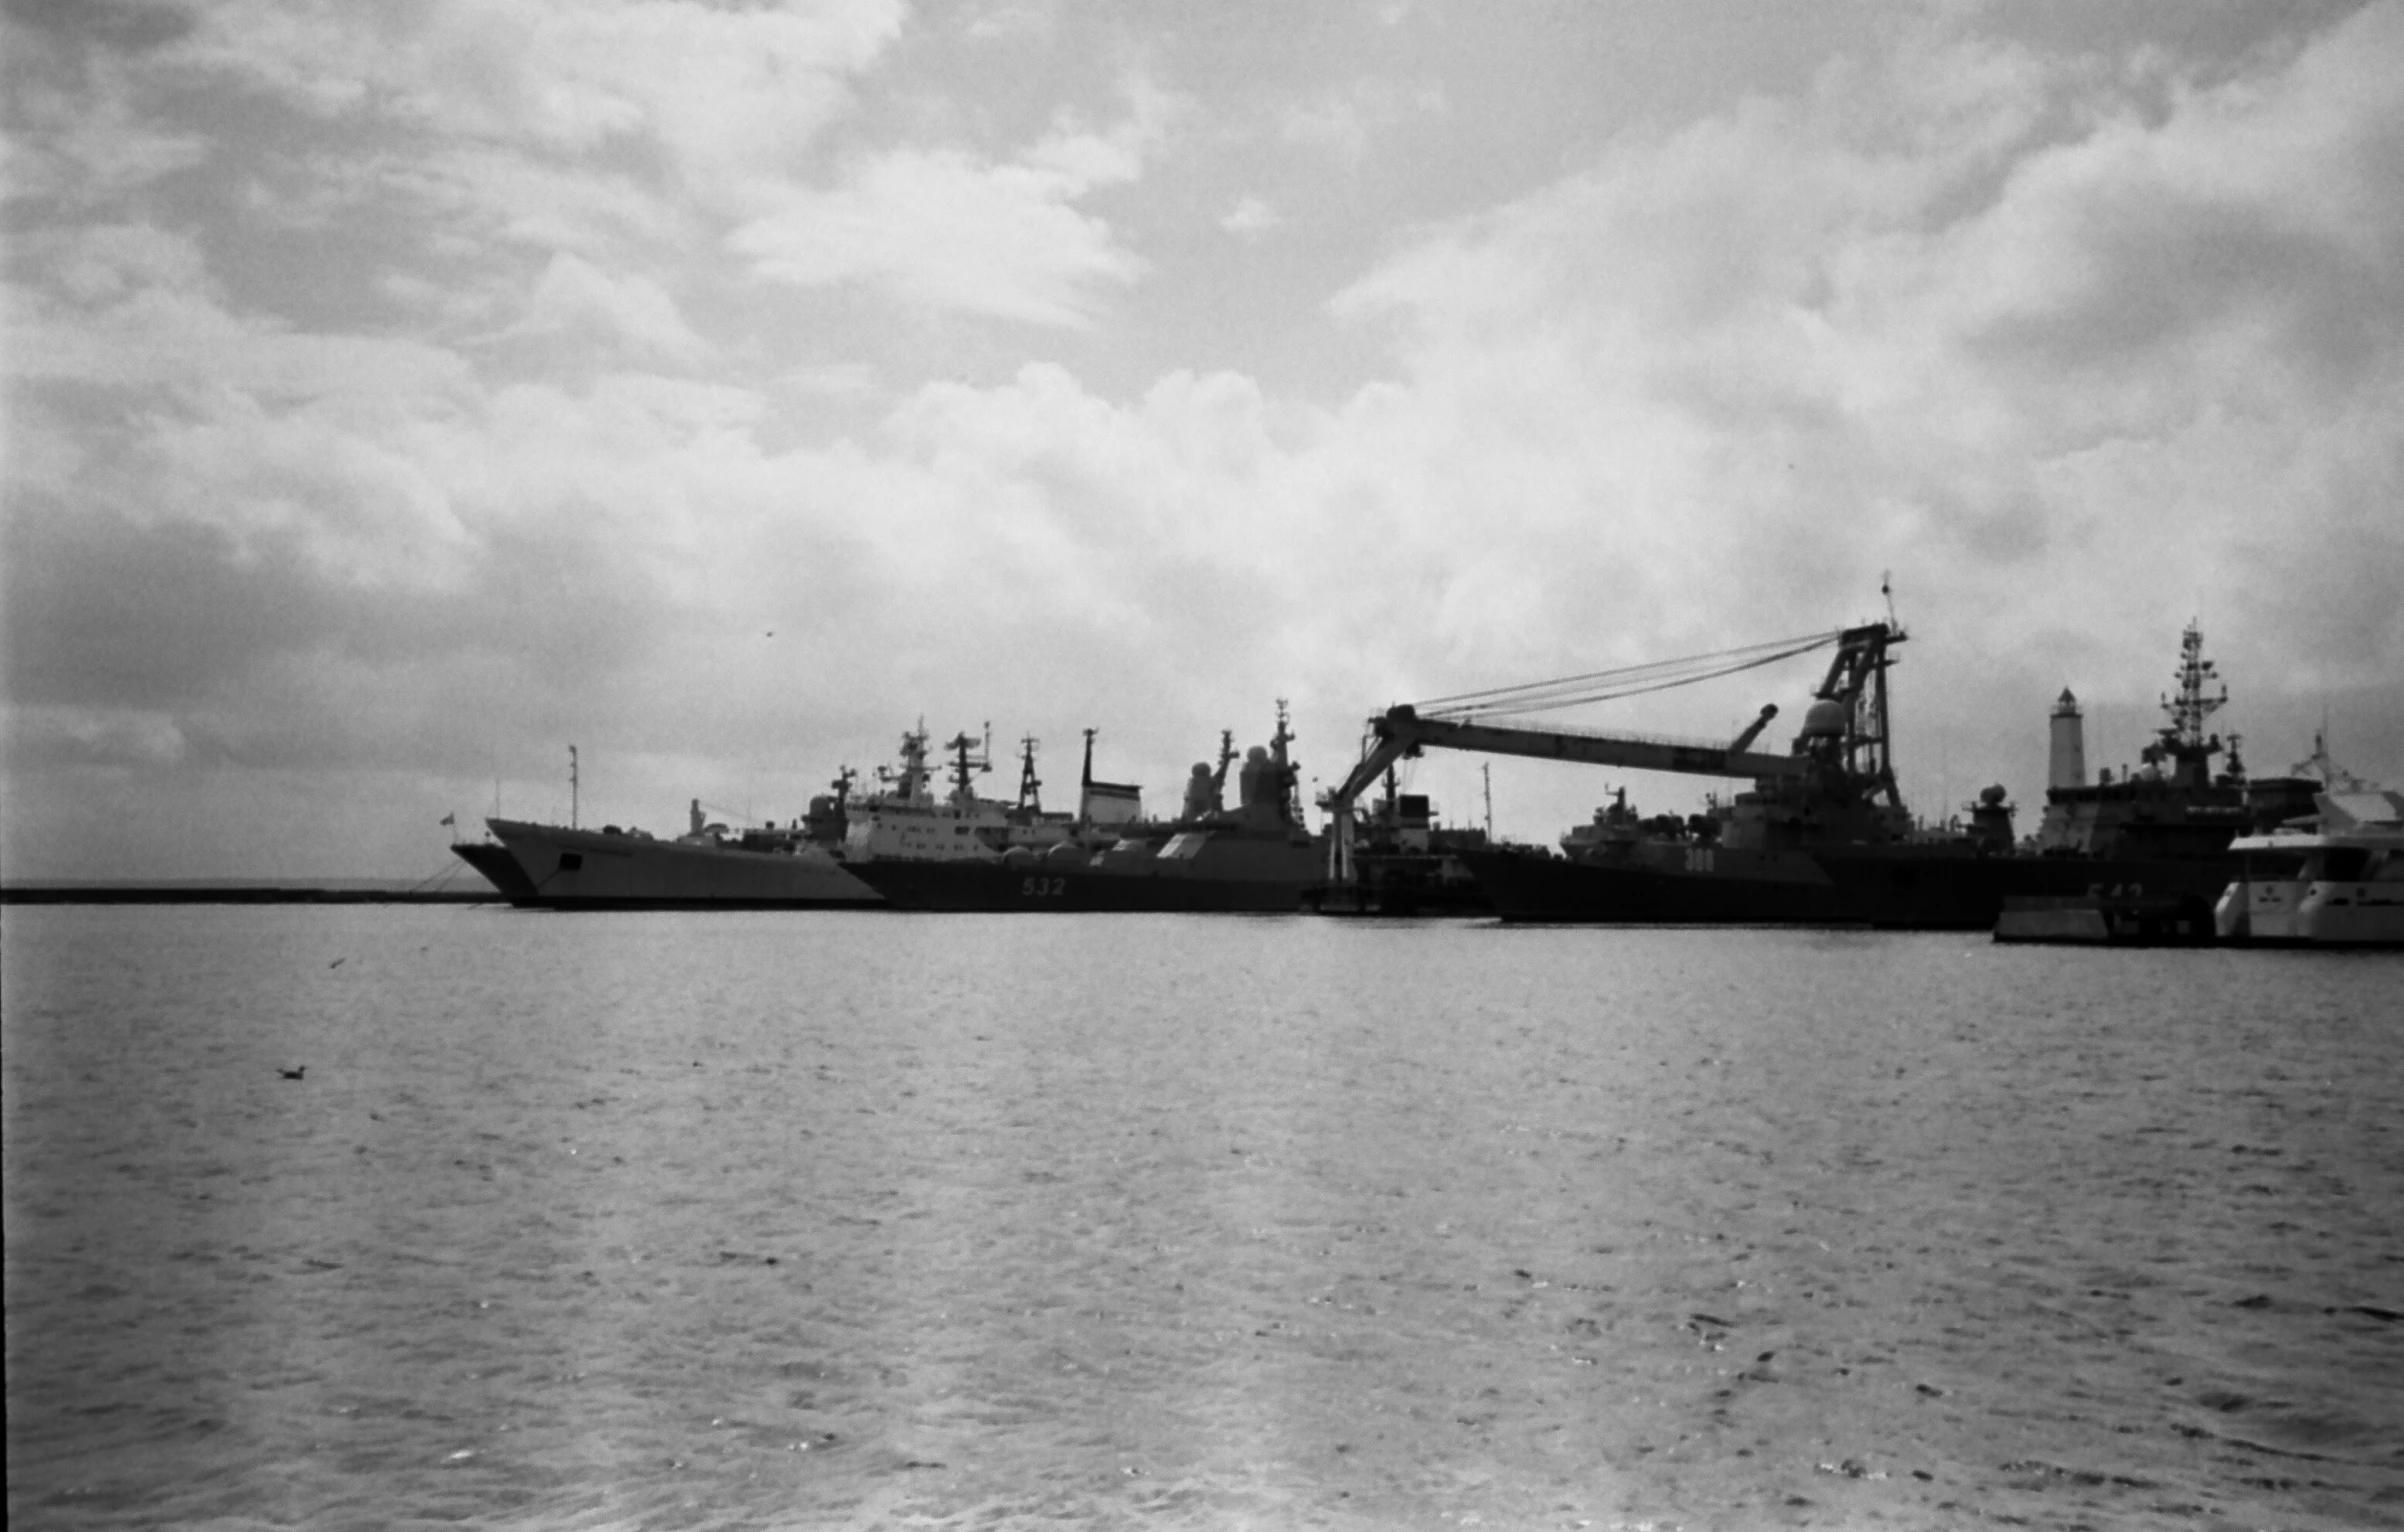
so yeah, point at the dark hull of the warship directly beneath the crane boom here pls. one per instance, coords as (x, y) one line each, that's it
(1720, 891)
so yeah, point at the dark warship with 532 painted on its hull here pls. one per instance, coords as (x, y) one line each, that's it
(1256, 857)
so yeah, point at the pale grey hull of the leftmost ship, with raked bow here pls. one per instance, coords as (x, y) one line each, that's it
(585, 869)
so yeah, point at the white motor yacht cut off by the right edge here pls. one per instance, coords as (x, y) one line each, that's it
(2335, 881)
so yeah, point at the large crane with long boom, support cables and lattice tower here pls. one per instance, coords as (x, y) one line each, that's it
(1840, 756)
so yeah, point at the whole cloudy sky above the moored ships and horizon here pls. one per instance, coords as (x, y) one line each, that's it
(403, 396)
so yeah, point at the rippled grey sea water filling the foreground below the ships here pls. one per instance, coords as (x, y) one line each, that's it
(869, 1221)
